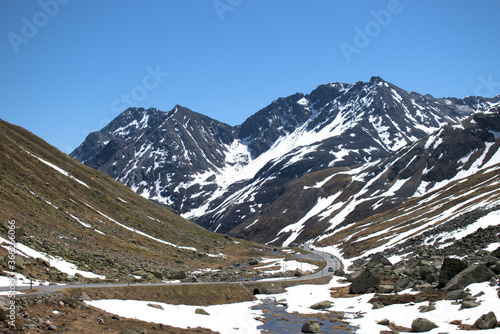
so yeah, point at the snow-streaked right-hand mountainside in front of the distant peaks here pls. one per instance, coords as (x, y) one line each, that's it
(344, 206)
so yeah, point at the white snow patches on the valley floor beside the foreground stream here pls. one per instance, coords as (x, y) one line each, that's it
(239, 317)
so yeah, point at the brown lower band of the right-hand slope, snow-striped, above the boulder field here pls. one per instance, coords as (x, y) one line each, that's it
(419, 213)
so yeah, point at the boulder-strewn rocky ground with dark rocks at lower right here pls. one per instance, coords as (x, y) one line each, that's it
(439, 270)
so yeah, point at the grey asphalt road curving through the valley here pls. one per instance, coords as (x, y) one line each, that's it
(331, 262)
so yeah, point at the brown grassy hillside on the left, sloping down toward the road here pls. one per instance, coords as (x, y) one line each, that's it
(41, 200)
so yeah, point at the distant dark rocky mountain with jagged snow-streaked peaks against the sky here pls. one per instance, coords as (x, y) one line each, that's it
(221, 176)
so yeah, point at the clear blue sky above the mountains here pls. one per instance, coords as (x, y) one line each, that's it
(70, 67)
